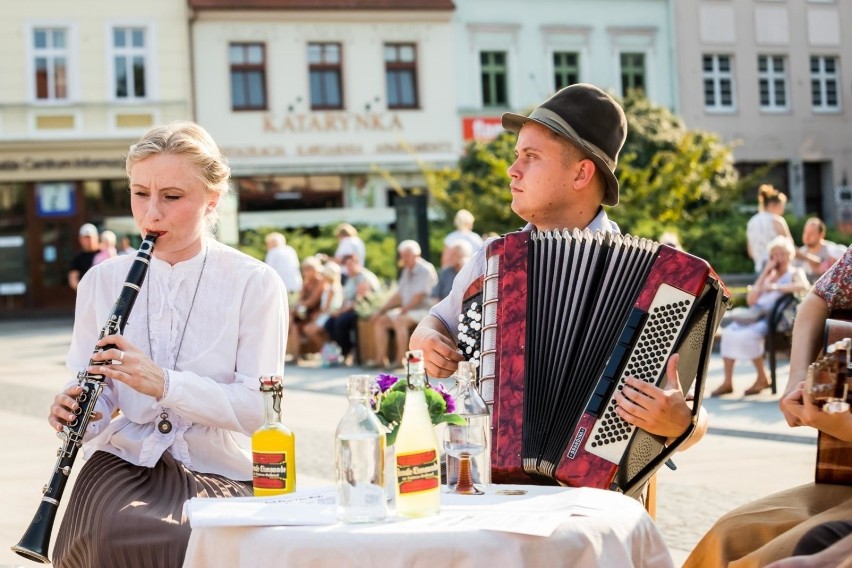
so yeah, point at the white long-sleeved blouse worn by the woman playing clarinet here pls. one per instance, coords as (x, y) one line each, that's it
(237, 330)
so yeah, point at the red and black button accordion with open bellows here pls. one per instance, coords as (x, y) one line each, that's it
(565, 318)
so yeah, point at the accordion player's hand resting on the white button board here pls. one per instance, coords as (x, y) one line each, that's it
(660, 411)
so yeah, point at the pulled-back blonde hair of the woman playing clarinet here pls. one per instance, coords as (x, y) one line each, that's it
(183, 138)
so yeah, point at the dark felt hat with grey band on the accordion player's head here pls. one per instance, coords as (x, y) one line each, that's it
(588, 117)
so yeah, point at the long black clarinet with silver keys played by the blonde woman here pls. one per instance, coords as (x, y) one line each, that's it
(36, 540)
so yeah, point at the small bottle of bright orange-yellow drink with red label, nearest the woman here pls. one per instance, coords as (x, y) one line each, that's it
(273, 446)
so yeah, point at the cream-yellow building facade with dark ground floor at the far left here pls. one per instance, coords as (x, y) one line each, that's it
(79, 82)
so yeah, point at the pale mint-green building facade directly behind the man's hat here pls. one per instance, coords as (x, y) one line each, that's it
(510, 57)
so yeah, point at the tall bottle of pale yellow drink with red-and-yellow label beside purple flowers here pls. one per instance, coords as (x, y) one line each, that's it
(418, 470)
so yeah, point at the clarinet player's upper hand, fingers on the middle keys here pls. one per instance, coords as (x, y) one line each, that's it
(127, 364)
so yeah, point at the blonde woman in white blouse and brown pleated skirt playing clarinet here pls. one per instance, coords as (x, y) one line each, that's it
(181, 383)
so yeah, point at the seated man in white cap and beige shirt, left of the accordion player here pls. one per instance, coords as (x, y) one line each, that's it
(408, 305)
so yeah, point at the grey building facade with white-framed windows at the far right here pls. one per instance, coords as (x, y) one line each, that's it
(773, 76)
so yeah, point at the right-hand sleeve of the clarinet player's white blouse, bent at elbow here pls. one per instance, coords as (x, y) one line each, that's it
(262, 337)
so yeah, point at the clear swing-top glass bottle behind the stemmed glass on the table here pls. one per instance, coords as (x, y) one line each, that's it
(471, 406)
